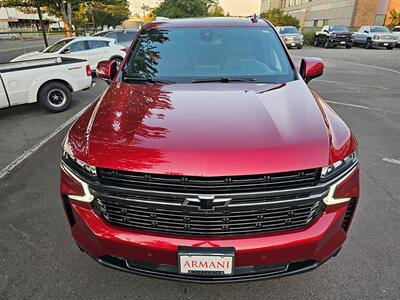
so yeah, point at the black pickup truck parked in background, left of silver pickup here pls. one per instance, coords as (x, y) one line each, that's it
(332, 36)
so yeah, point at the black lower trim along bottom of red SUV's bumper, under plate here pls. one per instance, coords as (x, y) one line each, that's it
(241, 274)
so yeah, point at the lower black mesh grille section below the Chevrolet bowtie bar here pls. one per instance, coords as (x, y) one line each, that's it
(220, 221)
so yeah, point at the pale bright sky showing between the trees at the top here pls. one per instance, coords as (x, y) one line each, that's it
(234, 7)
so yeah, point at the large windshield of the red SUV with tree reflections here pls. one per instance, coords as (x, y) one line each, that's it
(193, 54)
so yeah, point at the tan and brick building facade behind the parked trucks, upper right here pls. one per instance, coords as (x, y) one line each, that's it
(353, 13)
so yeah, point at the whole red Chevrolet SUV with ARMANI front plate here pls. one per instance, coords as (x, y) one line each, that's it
(209, 159)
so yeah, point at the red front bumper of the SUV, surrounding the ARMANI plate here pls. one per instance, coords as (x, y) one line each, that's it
(257, 256)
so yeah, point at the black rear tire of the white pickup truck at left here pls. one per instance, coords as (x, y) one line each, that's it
(55, 96)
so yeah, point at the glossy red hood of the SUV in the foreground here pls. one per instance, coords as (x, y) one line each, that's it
(203, 129)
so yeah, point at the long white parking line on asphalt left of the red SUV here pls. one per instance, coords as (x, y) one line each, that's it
(5, 171)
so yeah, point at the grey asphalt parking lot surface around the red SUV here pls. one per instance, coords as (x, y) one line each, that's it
(38, 258)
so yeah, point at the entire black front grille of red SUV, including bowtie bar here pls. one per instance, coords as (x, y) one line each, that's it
(209, 206)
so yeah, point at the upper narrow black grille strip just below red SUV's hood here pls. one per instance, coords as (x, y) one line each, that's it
(214, 185)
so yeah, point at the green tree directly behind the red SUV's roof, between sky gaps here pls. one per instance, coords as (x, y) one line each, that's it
(185, 8)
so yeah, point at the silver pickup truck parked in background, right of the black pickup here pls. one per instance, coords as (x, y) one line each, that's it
(370, 36)
